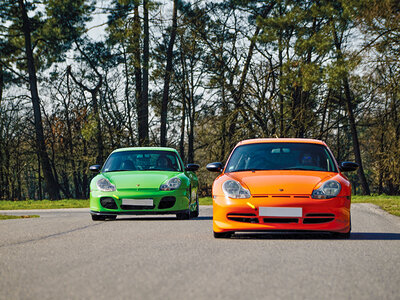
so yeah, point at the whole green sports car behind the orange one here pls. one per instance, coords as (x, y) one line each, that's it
(144, 180)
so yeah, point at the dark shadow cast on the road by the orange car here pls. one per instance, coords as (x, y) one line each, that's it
(378, 236)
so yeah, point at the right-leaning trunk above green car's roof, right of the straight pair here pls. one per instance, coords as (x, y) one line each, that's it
(168, 71)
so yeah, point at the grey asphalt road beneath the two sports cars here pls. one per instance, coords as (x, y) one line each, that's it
(65, 255)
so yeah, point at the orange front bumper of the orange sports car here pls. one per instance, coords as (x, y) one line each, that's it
(329, 215)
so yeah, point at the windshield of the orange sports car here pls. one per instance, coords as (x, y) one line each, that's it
(281, 156)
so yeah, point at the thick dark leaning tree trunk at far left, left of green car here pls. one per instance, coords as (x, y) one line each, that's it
(52, 186)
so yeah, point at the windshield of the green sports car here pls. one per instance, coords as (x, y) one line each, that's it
(146, 160)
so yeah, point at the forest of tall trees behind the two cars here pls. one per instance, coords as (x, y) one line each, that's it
(198, 76)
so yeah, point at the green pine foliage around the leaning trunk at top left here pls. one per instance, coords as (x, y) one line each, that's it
(53, 30)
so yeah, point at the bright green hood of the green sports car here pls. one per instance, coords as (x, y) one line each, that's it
(139, 179)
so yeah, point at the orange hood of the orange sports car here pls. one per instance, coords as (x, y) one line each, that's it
(280, 182)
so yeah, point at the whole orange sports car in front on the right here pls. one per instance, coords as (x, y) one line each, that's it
(281, 185)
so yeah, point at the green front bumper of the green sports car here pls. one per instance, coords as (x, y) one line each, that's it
(164, 202)
